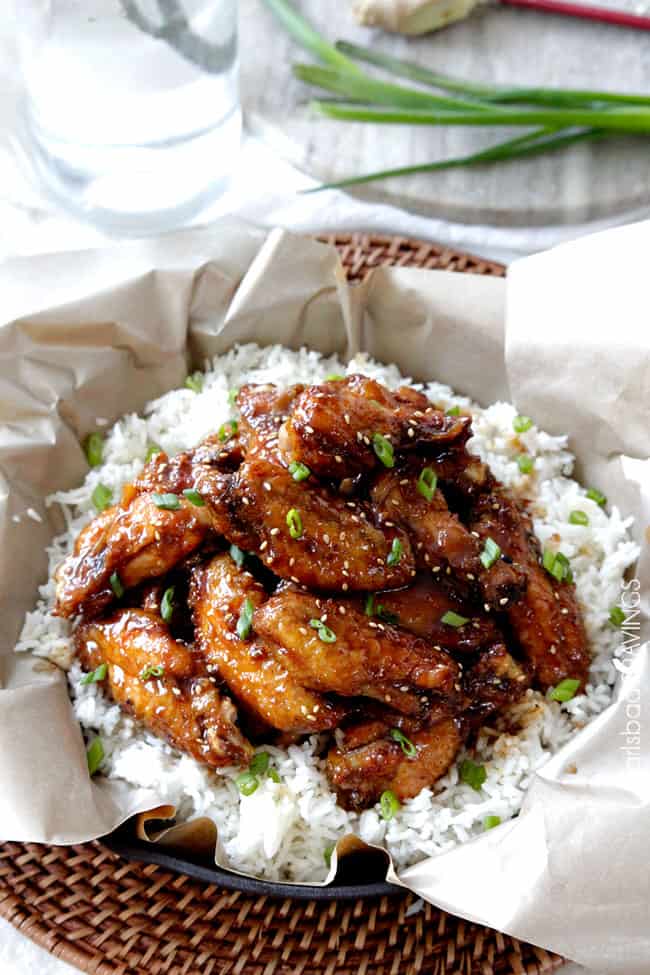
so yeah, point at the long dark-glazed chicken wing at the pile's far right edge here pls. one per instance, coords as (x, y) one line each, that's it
(546, 621)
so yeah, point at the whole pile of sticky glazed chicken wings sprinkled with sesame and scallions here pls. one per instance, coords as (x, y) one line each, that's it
(334, 560)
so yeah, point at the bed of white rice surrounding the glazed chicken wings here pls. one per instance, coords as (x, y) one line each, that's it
(283, 829)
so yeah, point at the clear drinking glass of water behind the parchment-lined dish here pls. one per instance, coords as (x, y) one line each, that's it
(130, 107)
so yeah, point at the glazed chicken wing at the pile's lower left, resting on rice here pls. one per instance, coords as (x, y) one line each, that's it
(164, 684)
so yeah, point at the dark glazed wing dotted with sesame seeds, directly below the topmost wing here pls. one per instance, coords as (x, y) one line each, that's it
(304, 532)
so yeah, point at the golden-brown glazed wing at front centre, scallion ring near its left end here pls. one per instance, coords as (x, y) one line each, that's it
(355, 655)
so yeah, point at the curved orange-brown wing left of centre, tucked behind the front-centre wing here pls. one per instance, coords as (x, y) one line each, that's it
(255, 672)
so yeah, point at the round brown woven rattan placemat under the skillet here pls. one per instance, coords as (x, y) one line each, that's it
(111, 917)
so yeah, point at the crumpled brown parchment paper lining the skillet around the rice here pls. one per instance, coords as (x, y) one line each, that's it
(96, 334)
